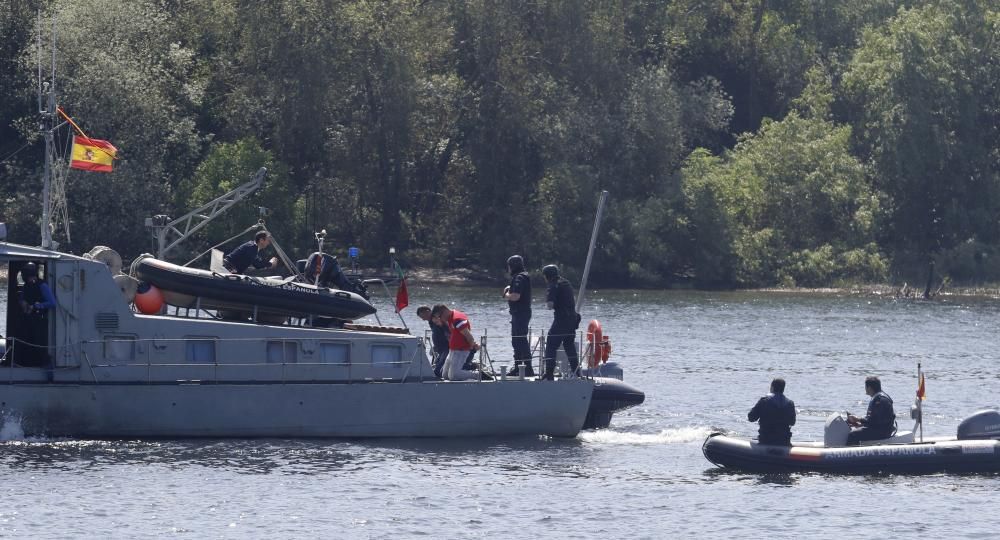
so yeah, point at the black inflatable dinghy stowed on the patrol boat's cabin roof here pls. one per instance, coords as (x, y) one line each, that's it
(191, 287)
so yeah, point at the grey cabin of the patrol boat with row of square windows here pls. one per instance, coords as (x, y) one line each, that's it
(95, 334)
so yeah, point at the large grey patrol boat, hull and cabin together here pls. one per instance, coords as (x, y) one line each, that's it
(93, 366)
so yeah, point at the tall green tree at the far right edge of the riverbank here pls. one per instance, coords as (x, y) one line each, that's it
(925, 110)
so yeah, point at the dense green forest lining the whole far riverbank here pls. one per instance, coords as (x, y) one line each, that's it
(744, 143)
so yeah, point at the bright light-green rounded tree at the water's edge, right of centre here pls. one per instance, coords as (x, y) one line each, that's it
(787, 205)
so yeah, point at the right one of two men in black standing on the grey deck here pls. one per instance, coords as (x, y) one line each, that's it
(565, 321)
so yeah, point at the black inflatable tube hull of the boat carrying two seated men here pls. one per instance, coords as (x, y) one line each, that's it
(939, 456)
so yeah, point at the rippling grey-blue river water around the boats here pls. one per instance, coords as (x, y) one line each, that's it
(702, 358)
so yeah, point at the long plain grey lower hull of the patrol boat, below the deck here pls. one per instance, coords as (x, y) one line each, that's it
(372, 409)
